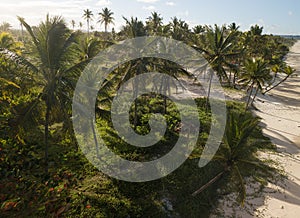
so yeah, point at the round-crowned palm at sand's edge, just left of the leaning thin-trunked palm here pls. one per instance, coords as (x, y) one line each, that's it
(256, 74)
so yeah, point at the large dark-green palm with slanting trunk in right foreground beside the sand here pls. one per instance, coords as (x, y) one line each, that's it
(236, 154)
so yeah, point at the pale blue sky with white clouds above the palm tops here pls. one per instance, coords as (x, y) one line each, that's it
(277, 16)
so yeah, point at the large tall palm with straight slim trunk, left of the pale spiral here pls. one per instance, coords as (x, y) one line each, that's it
(55, 66)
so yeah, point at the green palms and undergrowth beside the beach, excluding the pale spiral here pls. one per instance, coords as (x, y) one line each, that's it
(43, 172)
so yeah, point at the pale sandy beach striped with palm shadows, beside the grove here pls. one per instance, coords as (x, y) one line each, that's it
(280, 113)
